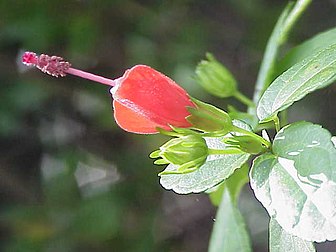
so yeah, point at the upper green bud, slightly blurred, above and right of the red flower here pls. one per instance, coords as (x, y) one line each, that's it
(215, 78)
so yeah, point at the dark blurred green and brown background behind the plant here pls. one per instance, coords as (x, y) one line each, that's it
(70, 179)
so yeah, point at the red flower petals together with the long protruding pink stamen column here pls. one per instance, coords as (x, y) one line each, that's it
(144, 99)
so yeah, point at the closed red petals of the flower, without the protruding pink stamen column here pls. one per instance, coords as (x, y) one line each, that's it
(145, 99)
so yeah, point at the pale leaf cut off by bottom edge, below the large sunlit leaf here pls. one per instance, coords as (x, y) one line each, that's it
(281, 241)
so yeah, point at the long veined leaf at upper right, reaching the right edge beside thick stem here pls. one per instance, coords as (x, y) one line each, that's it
(311, 74)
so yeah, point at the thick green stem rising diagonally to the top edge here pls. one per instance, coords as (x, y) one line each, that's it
(278, 37)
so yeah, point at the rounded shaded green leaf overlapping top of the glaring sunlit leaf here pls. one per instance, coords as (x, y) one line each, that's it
(309, 146)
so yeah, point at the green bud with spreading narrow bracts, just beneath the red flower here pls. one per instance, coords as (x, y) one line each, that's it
(187, 152)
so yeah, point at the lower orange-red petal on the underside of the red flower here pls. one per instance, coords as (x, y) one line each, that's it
(132, 121)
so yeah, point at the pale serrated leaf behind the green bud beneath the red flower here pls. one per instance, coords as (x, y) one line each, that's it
(216, 169)
